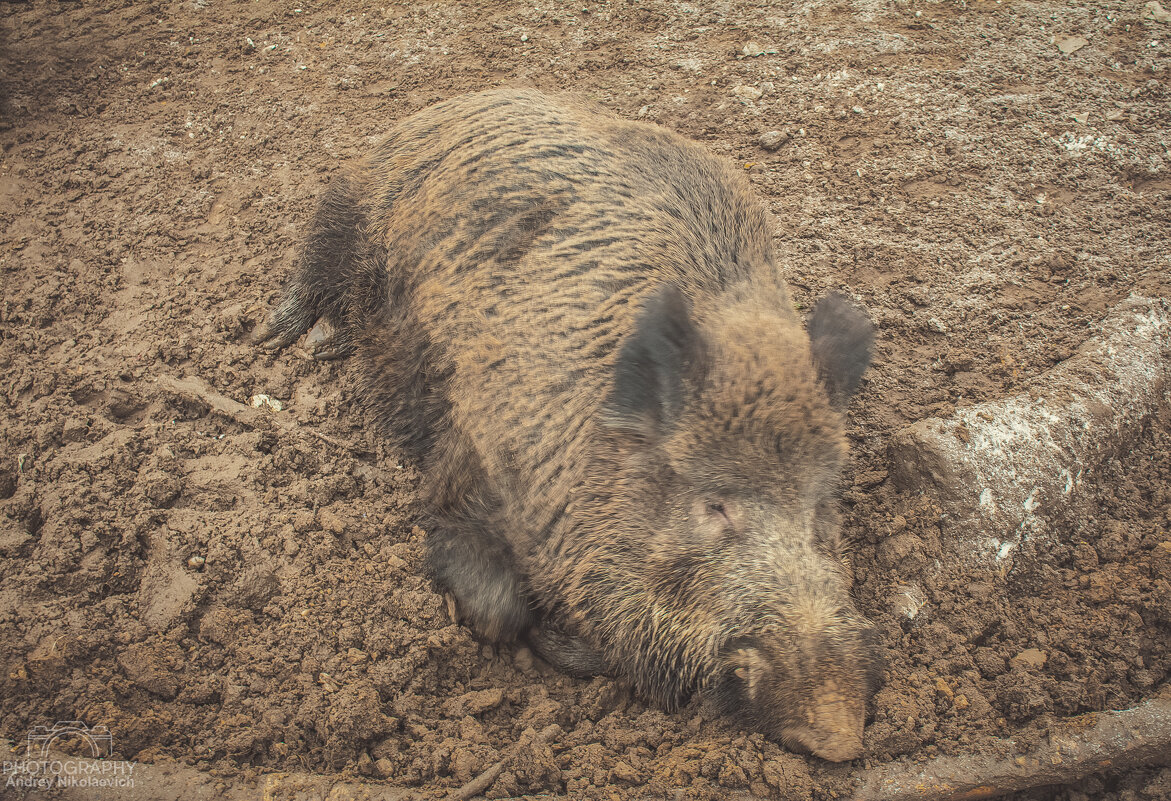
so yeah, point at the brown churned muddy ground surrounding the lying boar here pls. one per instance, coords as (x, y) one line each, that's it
(250, 600)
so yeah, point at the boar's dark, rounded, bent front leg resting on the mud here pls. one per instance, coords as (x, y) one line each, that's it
(475, 566)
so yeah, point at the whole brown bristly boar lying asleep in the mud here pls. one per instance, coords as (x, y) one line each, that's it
(579, 325)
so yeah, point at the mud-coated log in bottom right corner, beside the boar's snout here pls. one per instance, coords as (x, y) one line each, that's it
(1077, 748)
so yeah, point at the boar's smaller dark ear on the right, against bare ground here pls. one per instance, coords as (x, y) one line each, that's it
(841, 338)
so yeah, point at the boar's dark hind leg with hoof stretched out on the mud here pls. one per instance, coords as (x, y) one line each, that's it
(327, 272)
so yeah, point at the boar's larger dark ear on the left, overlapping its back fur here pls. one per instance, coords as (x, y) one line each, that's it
(656, 365)
